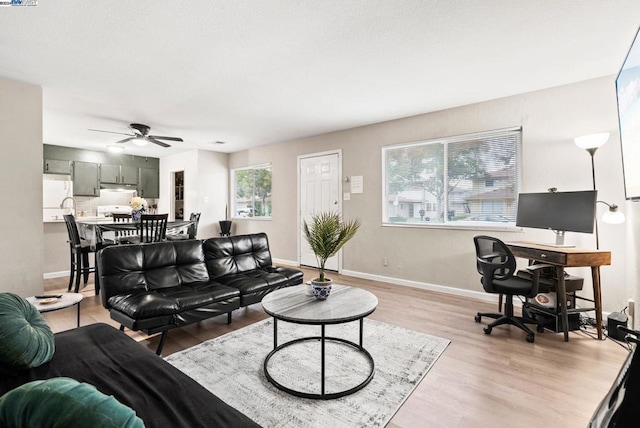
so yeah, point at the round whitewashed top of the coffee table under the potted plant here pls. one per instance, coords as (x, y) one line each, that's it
(343, 304)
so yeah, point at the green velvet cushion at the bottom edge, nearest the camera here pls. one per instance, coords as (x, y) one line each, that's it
(63, 402)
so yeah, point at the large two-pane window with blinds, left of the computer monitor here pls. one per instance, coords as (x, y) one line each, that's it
(455, 181)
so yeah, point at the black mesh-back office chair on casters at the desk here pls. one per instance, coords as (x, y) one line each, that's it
(497, 265)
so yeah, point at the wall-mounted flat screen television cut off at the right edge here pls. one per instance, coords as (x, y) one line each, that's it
(628, 94)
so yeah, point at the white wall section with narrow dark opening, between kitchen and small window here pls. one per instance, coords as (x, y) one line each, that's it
(206, 187)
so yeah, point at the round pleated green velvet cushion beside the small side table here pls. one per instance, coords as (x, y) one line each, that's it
(25, 337)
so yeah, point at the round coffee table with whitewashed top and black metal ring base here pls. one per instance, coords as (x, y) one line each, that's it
(345, 304)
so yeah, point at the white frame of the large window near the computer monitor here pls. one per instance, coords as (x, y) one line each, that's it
(446, 224)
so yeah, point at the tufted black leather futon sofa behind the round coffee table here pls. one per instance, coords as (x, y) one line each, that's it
(156, 287)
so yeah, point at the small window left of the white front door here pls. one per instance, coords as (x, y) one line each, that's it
(252, 191)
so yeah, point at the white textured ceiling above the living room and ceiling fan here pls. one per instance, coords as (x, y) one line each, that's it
(253, 72)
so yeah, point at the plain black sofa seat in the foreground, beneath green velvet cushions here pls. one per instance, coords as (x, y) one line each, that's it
(161, 395)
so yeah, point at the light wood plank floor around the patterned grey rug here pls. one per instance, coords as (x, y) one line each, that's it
(491, 381)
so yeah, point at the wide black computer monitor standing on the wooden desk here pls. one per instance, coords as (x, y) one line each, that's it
(558, 211)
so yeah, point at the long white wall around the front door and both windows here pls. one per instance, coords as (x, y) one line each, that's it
(445, 257)
